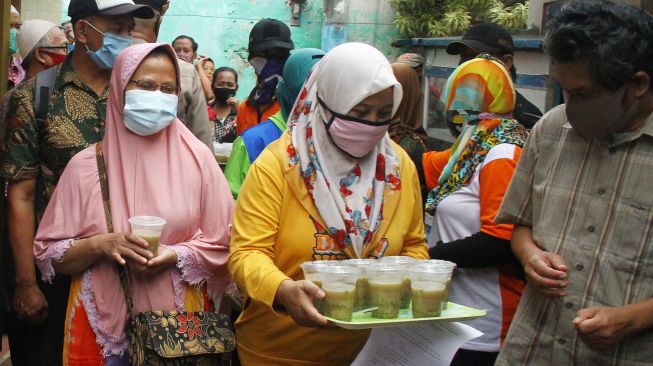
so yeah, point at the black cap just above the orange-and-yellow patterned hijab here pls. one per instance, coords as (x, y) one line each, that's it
(483, 37)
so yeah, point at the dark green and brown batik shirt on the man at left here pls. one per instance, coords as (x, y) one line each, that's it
(41, 151)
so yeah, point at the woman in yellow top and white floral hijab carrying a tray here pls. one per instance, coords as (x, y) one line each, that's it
(333, 187)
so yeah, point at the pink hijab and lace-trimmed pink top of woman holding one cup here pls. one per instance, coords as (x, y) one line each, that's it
(170, 174)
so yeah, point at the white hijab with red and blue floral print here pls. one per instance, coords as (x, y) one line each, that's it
(348, 193)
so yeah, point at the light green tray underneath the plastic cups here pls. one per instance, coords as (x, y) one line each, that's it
(365, 320)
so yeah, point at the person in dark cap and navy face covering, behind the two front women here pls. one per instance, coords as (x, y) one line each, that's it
(269, 48)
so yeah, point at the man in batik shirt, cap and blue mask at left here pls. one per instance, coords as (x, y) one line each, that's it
(40, 140)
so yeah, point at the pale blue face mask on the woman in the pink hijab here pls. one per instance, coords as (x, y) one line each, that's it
(148, 112)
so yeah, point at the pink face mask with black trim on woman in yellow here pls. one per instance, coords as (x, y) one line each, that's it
(354, 136)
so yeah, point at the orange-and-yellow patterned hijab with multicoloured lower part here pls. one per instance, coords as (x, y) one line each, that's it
(480, 97)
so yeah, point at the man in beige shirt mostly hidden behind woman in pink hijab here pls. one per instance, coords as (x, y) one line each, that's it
(191, 109)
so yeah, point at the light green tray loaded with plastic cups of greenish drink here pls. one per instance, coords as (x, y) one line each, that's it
(390, 291)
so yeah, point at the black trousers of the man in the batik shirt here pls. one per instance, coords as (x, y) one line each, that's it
(36, 344)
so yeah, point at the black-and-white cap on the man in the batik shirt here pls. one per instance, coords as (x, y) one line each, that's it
(82, 8)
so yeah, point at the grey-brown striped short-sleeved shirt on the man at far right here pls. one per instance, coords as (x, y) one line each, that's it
(591, 203)
